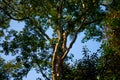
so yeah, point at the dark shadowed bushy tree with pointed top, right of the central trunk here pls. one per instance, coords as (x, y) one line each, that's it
(82, 69)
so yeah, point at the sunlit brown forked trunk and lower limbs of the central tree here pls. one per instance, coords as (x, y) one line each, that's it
(60, 50)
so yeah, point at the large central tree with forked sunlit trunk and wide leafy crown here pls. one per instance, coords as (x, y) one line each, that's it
(34, 47)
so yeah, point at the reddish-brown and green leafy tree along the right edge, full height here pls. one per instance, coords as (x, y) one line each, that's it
(111, 44)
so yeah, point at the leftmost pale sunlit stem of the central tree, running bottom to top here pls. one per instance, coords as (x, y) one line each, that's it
(59, 33)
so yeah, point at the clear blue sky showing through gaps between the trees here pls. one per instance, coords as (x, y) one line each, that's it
(76, 49)
